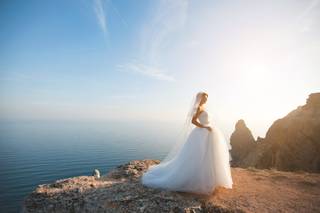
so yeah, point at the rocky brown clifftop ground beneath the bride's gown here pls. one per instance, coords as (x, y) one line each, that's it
(120, 191)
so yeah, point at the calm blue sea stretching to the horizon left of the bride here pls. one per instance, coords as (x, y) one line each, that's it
(33, 153)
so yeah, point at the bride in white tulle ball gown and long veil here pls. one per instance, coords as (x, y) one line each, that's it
(198, 163)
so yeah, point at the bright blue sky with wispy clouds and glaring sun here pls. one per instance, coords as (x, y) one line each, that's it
(144, 60)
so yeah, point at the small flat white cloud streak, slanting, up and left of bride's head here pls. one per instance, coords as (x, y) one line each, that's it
(148, 71)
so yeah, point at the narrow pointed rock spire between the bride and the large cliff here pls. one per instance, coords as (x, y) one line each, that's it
(242, 143)
